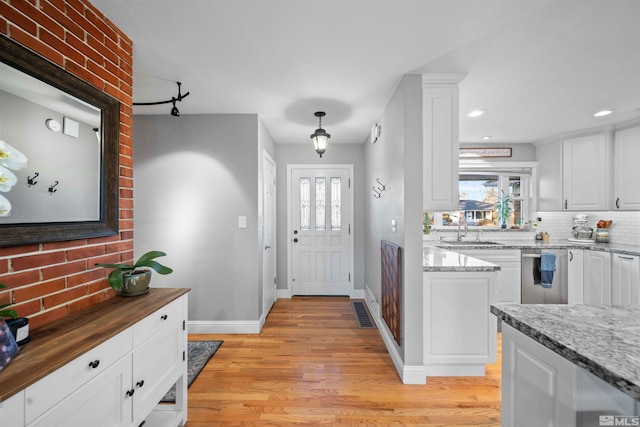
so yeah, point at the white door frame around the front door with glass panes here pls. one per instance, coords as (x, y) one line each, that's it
(349, 167)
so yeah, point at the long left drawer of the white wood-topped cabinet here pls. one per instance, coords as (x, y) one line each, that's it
(50, 390)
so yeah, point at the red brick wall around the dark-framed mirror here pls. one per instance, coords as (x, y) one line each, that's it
(51, 280)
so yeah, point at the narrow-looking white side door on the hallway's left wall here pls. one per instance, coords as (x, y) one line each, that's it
(269, 228)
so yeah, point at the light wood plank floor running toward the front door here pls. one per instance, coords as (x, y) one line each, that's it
(312, 365)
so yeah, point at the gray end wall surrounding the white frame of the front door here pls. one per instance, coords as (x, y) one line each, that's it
(302, 154)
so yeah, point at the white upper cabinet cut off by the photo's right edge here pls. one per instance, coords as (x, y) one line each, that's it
(626, 192)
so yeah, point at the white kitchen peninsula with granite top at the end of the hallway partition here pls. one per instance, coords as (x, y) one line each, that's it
(459, 333)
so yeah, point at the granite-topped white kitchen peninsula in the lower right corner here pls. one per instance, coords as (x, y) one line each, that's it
(569, 365)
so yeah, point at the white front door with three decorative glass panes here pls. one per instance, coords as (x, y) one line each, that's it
(320, 239)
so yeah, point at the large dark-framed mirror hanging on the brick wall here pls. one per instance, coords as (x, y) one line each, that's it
(59, 148)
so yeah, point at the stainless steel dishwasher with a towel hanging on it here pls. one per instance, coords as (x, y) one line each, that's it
(532, 290)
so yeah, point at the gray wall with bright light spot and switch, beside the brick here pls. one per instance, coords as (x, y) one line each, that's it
(193, 176)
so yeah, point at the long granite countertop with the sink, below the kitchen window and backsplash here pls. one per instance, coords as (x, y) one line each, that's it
(552, 244)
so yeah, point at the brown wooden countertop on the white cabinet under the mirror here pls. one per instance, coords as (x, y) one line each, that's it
(59, 342)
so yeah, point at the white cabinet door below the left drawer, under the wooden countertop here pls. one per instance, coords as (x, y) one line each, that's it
(102, 402)
